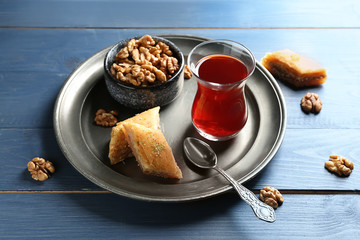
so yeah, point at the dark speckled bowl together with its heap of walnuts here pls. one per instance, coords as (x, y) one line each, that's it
(144, 72)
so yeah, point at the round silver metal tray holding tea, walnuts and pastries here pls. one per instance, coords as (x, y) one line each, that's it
(85, 144)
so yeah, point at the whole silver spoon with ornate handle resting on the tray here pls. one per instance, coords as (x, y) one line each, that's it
(203, 156)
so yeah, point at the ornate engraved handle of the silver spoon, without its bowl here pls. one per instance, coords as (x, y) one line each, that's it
(261, 210)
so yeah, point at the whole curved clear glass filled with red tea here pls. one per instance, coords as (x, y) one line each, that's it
(219, 110)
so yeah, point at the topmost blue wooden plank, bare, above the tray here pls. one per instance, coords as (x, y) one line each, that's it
(180, 14)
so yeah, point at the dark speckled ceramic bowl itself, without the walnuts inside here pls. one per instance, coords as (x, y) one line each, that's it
(139, 97)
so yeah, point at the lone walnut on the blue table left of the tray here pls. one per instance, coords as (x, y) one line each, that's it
(40, 169)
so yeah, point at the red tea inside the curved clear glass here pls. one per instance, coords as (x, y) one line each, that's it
(220, 110)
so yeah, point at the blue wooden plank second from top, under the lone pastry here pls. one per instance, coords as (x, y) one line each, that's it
(32, 71)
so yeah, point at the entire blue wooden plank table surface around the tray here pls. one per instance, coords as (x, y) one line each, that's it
(42, 42)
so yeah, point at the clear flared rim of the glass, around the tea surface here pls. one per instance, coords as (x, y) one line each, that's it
(222, 41)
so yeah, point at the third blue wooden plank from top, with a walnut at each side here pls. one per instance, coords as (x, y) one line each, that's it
(298, 165)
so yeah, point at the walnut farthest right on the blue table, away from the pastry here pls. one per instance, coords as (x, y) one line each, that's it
(339, 165)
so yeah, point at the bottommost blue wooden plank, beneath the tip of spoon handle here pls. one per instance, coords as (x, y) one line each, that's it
(106, 216)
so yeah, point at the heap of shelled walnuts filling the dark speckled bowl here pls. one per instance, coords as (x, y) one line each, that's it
(144, 62)
